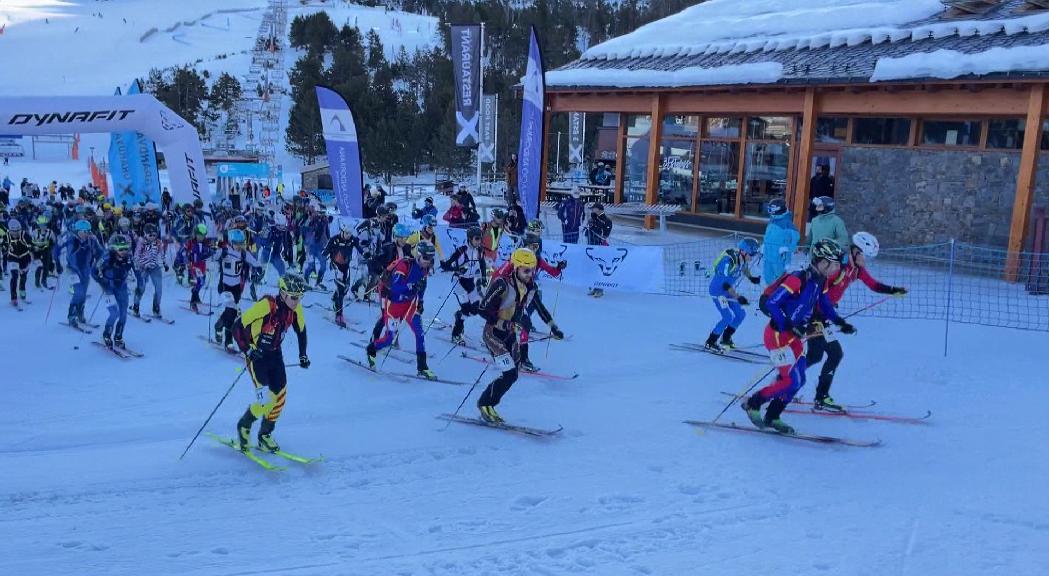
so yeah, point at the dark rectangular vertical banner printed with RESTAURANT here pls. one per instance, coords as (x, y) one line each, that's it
(466, 69)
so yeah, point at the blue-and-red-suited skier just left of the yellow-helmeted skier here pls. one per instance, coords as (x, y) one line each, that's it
(403, 303)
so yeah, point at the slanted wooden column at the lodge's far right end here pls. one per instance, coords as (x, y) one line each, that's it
(1026, 178)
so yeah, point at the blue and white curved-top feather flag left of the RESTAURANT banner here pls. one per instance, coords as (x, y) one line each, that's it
(345, 153)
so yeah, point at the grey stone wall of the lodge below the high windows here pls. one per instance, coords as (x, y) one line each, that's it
(915, 197)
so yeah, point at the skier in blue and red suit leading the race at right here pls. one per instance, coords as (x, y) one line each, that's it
(790, 302)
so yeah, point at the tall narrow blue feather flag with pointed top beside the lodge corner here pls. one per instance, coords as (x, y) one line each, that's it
(530, 148)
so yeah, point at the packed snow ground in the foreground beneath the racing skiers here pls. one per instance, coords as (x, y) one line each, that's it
(91, 481)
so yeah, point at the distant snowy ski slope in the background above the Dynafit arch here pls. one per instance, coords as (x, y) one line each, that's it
(60, 48)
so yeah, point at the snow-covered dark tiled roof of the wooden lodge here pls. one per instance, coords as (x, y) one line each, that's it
(810, 41)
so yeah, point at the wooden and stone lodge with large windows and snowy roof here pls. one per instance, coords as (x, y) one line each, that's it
(926, 120)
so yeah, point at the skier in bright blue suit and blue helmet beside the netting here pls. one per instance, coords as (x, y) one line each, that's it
(730, 270)
